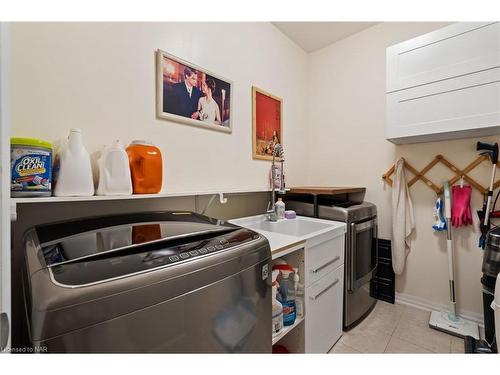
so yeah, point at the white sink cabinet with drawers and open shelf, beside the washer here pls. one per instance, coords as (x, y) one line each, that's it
(316, 247)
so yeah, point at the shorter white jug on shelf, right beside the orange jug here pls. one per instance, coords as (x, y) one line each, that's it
(114, 171)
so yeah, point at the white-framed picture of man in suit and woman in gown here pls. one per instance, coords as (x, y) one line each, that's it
(189, 94)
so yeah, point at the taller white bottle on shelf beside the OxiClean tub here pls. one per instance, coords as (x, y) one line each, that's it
(72, 169)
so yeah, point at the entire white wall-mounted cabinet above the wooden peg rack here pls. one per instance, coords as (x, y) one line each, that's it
(444, 84)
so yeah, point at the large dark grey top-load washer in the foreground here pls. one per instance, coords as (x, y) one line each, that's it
(165, 282)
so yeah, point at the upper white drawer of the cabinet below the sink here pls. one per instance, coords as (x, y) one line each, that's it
(323, 258)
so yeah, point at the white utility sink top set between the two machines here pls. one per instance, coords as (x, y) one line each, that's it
(302, 227)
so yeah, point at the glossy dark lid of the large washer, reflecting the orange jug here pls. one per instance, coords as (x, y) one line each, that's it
(79, 239)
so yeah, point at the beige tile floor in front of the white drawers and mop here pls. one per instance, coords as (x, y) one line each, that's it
(396, 329)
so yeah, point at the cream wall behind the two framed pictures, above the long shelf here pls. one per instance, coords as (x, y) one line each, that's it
(100, 77)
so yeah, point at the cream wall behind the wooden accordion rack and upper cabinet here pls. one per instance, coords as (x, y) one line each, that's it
(347, 121)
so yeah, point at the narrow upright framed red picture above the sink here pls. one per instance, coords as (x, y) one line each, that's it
(267, 123)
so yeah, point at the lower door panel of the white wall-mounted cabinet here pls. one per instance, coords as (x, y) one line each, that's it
(463, 105)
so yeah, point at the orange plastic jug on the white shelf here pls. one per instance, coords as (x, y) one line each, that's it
(145, 167)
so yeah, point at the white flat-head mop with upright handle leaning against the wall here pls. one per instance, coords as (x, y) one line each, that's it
(450, 322)
